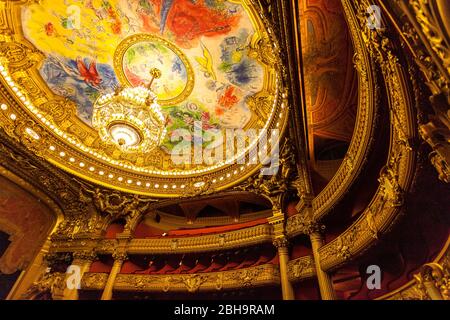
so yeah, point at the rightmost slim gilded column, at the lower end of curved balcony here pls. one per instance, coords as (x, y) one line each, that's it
(325, 283)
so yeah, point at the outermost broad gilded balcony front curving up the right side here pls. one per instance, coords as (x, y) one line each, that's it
(397, 176)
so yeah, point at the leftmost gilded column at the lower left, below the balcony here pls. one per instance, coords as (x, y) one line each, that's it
(82, 262)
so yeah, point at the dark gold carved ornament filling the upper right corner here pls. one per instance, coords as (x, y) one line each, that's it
(424, 28)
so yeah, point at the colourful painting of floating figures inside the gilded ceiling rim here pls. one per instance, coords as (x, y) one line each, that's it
(201, 47)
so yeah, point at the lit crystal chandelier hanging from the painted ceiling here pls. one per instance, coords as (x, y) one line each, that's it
(131, 118)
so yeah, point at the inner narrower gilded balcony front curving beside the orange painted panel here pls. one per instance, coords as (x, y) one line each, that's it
(360, 145)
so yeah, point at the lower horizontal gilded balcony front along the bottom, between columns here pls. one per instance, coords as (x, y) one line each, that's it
(264, 275)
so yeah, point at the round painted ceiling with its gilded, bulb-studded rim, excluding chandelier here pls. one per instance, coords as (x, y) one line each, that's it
(220, 71)
